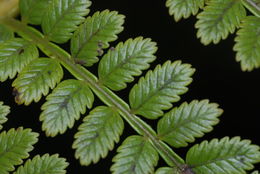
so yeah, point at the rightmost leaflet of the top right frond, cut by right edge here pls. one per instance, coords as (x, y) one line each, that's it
(248, 44)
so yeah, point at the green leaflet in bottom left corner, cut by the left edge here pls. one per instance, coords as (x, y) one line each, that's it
(14, 147)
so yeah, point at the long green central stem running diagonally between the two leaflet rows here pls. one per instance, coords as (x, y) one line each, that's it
(105, 94)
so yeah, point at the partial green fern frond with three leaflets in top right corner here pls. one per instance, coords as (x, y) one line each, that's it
(219, 18)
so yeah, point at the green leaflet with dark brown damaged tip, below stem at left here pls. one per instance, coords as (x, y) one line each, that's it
(36, 79)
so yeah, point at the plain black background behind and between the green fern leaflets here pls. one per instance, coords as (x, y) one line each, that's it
(218, 78)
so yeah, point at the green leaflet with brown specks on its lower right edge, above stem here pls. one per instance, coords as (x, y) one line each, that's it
(94, 35)
